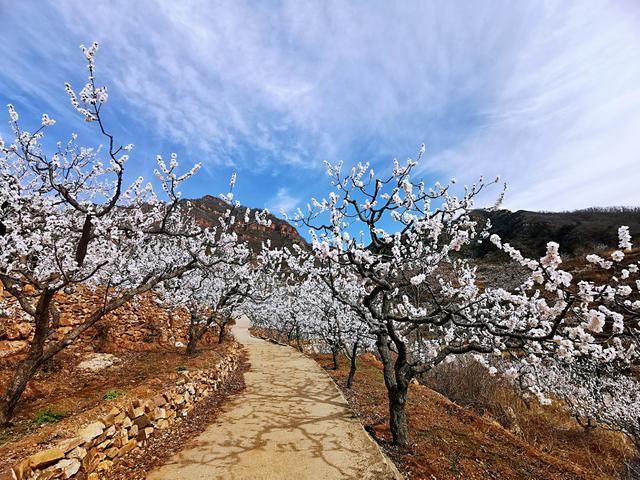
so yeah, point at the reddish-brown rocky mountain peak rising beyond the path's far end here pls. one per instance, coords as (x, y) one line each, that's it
(207, 210)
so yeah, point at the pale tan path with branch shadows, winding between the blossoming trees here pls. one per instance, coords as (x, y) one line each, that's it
(291, 423)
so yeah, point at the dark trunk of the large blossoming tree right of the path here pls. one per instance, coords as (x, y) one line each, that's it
(396, 379)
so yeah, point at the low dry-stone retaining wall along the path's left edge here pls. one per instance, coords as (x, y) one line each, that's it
(102, 443)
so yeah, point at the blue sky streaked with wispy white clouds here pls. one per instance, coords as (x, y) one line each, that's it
(544, 93)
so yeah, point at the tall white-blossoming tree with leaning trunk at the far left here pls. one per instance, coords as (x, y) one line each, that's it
(68, 219)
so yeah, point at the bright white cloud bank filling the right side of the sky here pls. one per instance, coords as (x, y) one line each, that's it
(562, 129)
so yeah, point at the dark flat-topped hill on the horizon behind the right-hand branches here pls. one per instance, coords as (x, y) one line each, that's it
(577, 232)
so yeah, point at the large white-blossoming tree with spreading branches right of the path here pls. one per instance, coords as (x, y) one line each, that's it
(396, 253)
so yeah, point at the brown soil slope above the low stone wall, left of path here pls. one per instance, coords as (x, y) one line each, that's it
(79, 394)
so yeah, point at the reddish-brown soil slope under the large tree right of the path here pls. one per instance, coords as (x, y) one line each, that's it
(451, 442)
